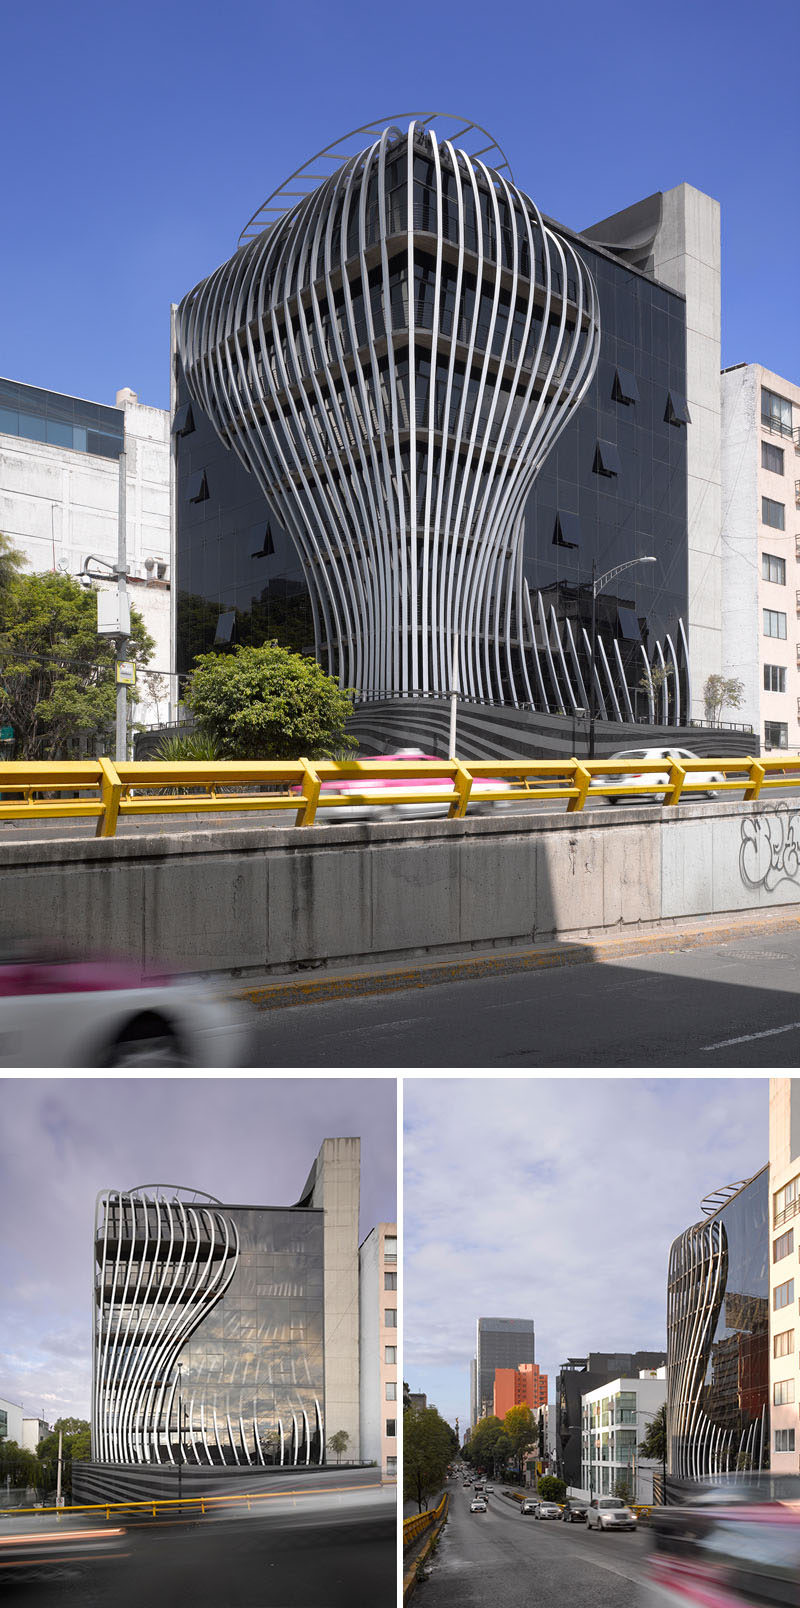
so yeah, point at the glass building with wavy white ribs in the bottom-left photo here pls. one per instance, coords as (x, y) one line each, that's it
(227, 1335)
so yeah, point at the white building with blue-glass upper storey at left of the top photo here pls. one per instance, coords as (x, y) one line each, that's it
(60, 501)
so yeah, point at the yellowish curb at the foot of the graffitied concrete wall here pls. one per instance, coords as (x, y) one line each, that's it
(459, 969)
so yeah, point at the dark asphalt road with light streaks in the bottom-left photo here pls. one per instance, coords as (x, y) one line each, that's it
(311, 1553)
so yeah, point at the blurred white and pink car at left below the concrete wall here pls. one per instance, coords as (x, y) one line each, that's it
(68, 1011)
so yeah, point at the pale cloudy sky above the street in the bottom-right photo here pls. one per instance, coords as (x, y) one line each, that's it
(557, 1200)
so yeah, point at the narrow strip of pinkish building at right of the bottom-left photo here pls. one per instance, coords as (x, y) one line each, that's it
(378, 1345)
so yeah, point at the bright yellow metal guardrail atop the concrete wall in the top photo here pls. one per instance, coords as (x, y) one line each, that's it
(105, 790)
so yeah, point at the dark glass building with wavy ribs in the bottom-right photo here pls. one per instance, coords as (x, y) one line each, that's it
(719, 1337)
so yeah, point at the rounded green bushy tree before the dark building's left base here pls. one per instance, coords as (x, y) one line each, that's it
(269, 703)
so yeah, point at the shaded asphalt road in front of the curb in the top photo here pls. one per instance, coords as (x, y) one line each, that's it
(724, 1006)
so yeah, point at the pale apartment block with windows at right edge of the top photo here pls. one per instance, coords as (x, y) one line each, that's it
(762, 549)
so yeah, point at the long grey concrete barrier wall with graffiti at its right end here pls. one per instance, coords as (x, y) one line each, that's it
(276, 900)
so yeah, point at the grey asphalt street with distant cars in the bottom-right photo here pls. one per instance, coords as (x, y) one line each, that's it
(505, 1561)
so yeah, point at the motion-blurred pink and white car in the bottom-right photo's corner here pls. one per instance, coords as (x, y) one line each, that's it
(732, 1556)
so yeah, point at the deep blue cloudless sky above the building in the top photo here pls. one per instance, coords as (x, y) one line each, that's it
(141, 139)
